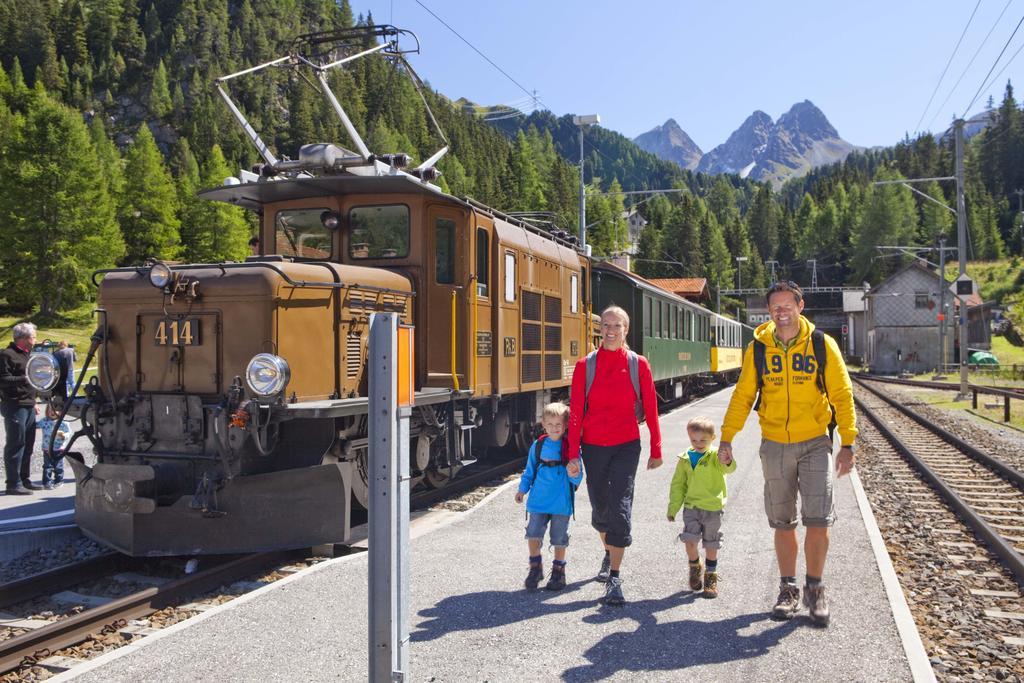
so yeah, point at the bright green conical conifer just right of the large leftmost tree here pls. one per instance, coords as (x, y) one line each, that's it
(149, 216)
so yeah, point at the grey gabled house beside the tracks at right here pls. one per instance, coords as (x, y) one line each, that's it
(905, 317)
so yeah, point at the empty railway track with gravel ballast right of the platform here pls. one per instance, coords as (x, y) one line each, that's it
(954, 522)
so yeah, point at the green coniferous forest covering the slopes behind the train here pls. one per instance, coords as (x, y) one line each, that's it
(110, 123)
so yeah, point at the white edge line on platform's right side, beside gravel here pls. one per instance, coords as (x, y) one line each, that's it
(921, 667)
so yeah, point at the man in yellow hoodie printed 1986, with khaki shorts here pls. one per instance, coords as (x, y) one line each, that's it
(795, 411)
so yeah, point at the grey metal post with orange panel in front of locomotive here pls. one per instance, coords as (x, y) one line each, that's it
(389, 474)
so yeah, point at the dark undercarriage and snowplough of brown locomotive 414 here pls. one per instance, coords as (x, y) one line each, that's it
(179, 475)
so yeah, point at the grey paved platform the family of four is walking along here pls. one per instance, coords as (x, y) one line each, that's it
(472, 620)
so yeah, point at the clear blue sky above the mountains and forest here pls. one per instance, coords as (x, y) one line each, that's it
(870, 66)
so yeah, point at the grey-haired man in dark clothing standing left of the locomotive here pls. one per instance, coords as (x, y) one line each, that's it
(18, 405)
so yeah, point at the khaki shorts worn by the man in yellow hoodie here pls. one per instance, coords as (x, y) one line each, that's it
(806, 468)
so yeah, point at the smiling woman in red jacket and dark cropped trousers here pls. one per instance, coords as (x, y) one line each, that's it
(605, 424)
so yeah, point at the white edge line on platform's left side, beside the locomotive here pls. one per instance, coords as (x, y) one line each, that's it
(447, 518)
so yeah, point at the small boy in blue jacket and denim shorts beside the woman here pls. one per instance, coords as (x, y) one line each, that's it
(550, 480)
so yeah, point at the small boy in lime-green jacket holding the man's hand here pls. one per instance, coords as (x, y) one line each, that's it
(699, 488)
